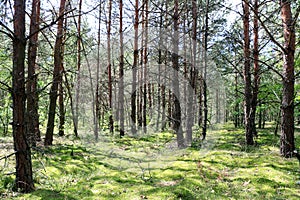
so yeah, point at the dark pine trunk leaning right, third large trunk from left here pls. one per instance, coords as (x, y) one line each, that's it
(57, 75)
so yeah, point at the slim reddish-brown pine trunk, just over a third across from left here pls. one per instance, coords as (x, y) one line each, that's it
(111, 121)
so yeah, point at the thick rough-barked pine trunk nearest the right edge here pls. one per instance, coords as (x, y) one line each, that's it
(287, 139)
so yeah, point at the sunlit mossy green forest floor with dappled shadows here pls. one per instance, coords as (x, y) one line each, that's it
(151, 167)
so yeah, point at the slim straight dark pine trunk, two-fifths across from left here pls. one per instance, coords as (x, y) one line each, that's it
(121, 72)
